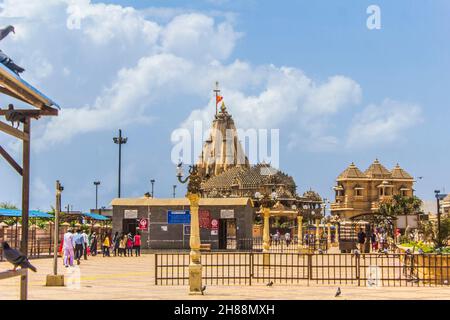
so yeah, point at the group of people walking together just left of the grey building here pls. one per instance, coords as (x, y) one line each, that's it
(78, 244)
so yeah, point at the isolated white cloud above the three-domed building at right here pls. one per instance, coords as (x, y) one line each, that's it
(382, 124)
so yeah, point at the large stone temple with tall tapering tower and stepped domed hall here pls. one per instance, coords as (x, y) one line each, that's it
(227, 172)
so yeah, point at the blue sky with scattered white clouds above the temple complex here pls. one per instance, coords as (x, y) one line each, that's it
(338, 91)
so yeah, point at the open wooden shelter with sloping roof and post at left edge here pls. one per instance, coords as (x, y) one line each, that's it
(14, 86)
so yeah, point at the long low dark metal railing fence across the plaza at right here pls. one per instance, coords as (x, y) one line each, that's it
(254, 268)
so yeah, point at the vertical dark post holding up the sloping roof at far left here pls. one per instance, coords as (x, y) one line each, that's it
(25, 187)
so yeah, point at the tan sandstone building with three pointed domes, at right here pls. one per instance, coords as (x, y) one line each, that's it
(359, 194)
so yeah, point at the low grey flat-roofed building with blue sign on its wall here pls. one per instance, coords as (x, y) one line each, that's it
(225, 223)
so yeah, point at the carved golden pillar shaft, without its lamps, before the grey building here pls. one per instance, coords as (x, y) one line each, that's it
(195, 267)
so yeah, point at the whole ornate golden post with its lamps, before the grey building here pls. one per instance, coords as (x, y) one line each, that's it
(193, 194)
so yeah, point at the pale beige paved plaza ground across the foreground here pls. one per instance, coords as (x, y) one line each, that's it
(133, 278)
